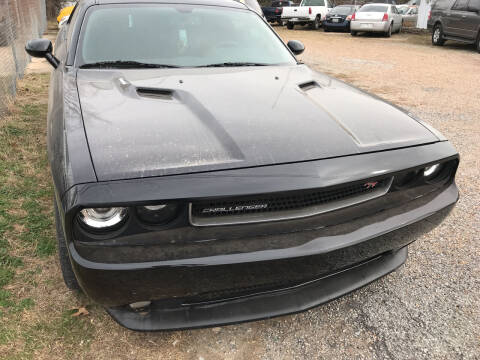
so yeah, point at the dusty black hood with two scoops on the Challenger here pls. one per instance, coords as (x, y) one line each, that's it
(155, 122)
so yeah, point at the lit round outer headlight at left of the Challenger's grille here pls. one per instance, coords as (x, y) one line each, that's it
(102, 218)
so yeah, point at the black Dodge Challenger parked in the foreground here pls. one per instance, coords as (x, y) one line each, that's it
(204, 176)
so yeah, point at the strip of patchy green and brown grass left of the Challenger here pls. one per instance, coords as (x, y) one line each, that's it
(34, 304)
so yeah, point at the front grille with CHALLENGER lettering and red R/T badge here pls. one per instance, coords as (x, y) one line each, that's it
(283, 206)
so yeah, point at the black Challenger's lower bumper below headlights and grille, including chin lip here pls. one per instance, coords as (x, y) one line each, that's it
(224, 289)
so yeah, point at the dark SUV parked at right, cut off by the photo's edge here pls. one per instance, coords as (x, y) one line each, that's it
(457, 20)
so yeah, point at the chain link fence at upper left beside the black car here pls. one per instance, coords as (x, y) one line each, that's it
(20, 21)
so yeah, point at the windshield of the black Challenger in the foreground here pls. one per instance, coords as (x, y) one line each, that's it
(177, 35)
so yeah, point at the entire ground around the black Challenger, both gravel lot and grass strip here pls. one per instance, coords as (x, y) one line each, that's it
(429, 308)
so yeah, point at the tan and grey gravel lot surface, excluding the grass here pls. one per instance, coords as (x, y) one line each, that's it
(430, 307)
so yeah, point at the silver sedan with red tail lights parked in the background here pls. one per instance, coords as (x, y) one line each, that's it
(383, 18)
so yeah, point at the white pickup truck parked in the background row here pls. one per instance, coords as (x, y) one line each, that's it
(311, 12)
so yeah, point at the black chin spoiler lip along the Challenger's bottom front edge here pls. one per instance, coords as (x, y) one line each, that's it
(164, 316)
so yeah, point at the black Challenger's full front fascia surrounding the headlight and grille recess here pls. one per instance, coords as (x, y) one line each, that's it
(201, 276)
